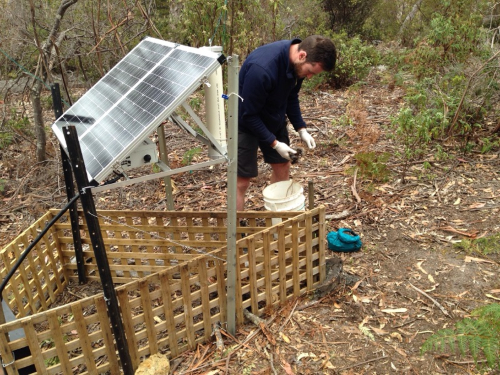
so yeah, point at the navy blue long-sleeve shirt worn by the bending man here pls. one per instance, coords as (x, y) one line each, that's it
(269, 88)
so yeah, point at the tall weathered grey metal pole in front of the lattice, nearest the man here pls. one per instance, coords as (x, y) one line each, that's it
(233, 83)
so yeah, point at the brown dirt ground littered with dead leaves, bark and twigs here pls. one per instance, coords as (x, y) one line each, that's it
(408, 281)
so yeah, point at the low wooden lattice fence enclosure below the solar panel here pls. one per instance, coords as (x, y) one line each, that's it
(170, 274)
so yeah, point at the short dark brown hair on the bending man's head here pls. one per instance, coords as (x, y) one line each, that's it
(319, 50)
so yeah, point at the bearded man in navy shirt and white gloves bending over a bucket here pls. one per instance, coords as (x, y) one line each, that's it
(269, 84)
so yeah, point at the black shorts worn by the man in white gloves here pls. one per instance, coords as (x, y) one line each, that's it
(247, 152)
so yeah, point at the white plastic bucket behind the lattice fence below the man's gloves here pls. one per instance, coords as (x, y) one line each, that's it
(284, 196)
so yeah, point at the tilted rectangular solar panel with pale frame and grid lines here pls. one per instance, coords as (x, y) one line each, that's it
(132, 99)
